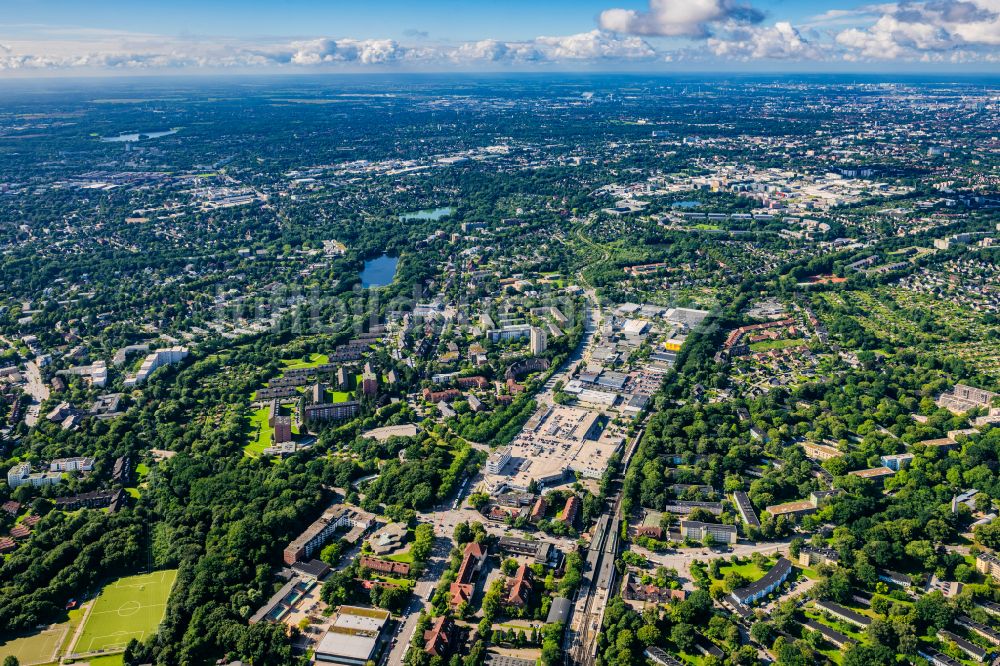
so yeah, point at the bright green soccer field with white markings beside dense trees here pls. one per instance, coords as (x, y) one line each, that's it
(131, 607)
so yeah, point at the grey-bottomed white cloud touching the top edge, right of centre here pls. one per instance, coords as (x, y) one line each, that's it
(678, 18)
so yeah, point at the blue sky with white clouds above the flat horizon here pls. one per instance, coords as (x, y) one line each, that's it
(119, 37)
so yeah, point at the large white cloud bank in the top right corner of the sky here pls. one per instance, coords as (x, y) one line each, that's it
(913, 30)
